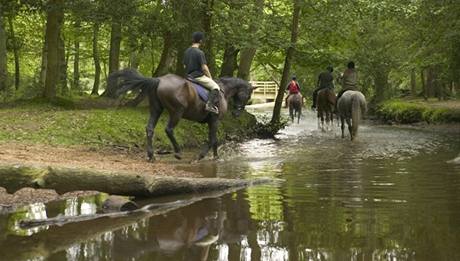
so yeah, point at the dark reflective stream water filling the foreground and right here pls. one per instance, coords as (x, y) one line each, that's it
(390, 195)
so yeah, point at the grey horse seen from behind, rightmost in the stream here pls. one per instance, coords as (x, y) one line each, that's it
(351, 106)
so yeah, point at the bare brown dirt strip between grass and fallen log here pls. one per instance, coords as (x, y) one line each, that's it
(84, 157)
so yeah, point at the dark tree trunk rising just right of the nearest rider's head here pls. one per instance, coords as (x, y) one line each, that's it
(207, 26)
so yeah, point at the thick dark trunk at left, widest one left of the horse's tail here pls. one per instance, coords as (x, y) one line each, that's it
(53, 26)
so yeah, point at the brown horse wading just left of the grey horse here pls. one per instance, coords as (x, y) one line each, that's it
(325, 100)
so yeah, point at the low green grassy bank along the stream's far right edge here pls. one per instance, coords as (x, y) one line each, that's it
(412, 111)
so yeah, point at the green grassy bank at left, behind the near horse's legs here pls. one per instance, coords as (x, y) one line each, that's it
(62, 124)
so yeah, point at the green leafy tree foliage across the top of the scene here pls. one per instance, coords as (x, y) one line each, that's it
(386, 38)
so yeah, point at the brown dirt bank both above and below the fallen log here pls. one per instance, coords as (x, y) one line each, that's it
(74, 157)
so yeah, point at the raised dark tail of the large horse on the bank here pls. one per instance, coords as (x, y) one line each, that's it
(130, 79)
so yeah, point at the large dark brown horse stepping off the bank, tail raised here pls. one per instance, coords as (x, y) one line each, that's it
(180, 99)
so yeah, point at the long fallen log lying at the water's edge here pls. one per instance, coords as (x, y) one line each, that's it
(14, 177)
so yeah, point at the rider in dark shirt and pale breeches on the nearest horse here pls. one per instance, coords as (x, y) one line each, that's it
(197, 69)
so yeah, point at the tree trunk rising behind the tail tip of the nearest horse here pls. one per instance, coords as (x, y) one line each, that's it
(114, 56)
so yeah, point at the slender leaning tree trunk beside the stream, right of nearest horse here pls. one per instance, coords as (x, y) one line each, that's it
(287, 63)
